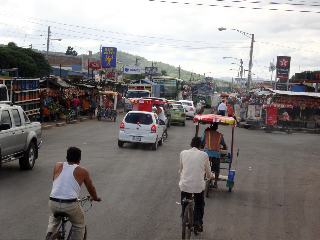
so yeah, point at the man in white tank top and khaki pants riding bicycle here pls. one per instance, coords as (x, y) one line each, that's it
(67, 180)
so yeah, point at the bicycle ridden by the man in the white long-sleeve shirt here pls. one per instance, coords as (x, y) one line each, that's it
(188, 219)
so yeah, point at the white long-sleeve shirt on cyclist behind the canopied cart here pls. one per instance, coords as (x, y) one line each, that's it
(193, 165)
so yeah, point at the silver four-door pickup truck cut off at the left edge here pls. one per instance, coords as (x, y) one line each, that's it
(19, 137)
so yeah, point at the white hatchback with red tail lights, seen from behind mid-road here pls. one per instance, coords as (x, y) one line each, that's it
(141, 127)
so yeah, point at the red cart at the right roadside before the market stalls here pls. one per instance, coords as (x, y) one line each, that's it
(273, 121)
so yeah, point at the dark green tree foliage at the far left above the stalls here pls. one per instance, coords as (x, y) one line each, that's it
(28, 62)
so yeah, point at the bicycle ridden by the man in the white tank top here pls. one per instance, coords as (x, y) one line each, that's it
(61, 232)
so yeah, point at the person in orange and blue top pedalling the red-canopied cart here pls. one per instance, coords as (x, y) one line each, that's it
(212, 140)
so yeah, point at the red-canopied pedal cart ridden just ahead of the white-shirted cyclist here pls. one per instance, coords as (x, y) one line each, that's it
(225, 156)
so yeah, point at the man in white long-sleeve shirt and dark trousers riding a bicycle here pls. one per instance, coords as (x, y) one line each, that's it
(193, 165)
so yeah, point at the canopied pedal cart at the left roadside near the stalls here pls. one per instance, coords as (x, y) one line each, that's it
(103, 111)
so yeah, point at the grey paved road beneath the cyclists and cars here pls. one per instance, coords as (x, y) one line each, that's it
(275, 196)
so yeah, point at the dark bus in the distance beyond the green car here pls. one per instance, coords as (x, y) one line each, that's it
(169, 86)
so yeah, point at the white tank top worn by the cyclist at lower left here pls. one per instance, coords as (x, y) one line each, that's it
(65, 185)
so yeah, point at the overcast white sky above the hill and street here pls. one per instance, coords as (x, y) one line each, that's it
(174, 33)
